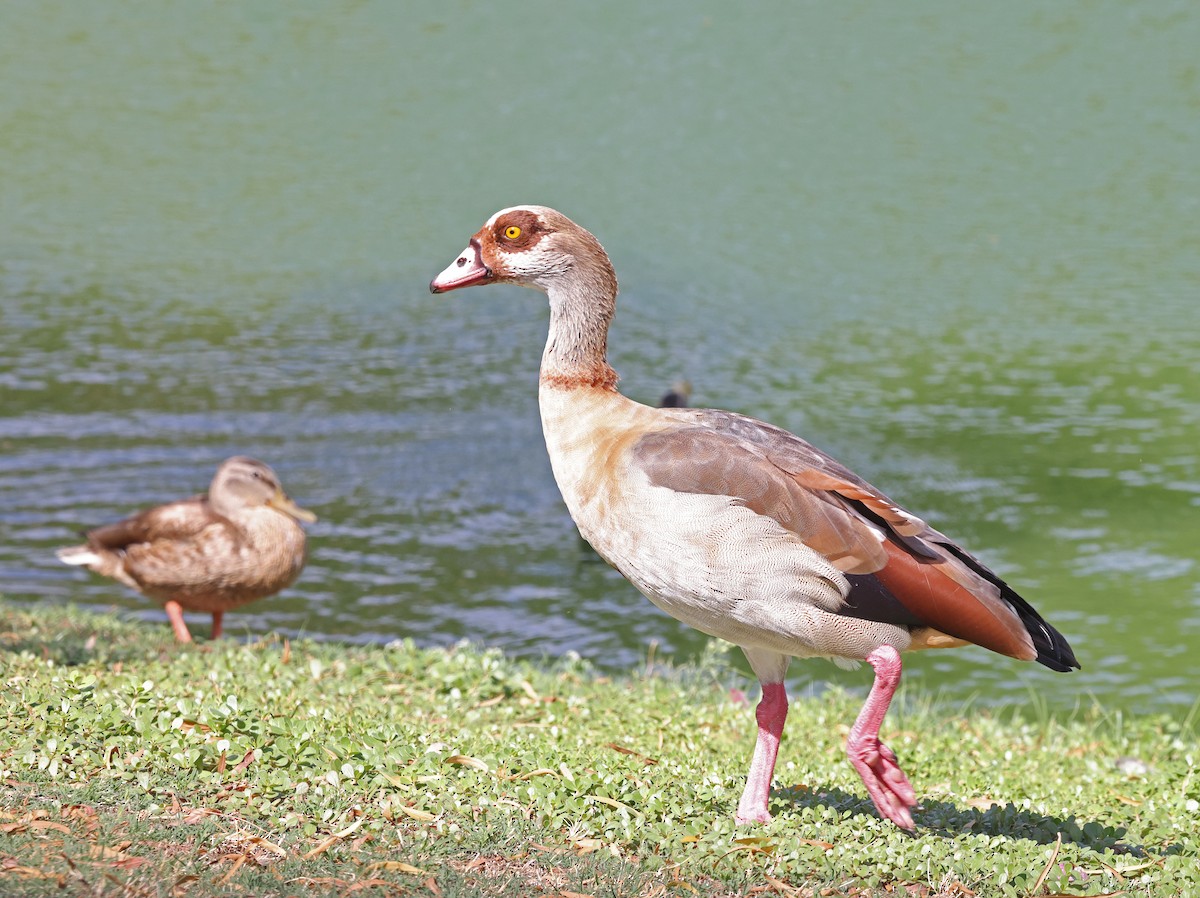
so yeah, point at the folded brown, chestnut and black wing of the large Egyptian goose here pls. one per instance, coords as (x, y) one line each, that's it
(857, 528)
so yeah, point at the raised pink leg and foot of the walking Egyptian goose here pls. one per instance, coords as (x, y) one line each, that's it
(875, 763)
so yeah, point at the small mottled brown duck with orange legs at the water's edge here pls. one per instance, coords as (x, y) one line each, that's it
(214, 553)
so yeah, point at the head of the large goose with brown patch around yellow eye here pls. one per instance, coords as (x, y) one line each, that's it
(531, 247)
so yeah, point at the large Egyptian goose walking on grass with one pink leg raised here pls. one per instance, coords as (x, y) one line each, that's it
(739, 528)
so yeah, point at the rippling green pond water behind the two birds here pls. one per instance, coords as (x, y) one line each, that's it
(957, 246)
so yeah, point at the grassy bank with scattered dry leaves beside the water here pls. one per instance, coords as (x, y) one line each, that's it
(133, 767)
